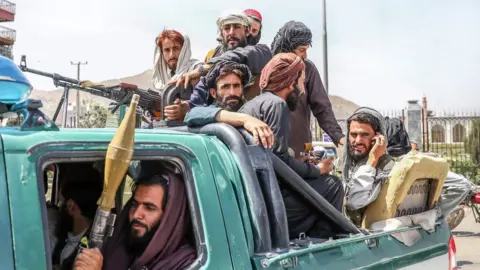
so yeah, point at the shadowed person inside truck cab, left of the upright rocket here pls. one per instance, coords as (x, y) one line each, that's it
(82, 186)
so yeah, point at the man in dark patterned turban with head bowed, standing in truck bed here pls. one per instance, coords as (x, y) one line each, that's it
(295, 37)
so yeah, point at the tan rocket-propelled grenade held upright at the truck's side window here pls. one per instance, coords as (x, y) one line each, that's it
(117, 161)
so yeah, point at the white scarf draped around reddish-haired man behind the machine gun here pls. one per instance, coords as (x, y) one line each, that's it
(161, 72)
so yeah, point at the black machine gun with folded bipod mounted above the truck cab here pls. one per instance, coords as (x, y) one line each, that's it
(121, 94)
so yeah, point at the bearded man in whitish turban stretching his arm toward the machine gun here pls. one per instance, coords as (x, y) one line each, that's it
(234, 30)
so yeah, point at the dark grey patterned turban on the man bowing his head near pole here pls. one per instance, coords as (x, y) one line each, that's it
(290, 36)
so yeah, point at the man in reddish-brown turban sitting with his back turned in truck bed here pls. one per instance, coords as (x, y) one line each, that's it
(282, 83)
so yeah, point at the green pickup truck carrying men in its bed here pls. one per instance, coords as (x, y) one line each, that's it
(238, 214)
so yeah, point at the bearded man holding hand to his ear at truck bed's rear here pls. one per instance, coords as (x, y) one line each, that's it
(366, 163)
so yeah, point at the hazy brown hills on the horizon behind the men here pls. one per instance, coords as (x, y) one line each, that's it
(341, 107)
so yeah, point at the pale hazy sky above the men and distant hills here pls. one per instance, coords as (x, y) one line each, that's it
(381, 53)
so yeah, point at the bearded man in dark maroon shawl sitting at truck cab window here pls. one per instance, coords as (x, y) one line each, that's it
(151, 231)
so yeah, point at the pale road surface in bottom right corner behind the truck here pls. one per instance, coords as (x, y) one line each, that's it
(467, 240)
